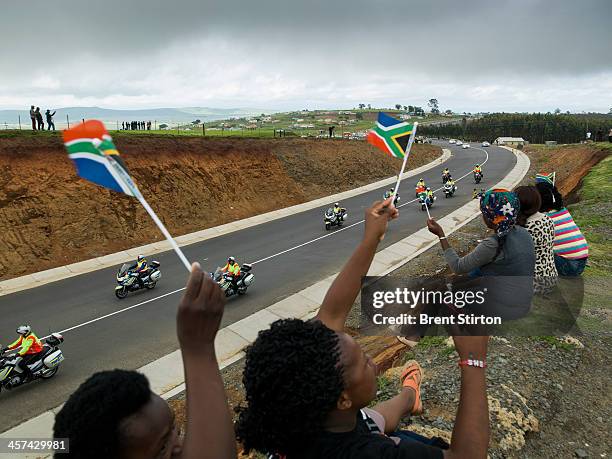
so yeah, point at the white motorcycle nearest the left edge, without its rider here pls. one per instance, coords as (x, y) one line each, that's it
(44, 367)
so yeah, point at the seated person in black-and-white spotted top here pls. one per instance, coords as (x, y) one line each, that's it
(542, 231)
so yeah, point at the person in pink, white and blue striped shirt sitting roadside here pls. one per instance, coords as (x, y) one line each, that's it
(571, 248)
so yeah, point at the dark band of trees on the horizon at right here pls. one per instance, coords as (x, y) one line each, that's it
(535, 128)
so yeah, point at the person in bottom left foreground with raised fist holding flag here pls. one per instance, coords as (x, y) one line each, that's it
(114, 414)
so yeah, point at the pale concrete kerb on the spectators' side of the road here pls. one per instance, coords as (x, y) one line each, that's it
(167, 372)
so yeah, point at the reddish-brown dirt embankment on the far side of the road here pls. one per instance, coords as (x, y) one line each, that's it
(49, 217)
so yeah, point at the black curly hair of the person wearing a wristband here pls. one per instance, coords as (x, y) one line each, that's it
(293, 379)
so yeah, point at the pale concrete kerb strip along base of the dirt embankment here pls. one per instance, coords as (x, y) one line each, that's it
(82, 267)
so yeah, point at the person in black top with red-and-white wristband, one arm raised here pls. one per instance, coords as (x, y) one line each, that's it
(309, 384)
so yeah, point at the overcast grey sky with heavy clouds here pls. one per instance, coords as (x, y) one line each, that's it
(472, 55)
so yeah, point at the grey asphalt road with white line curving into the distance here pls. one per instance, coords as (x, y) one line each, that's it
(146, 332)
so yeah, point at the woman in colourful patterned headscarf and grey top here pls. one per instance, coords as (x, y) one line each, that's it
(505, 260)
